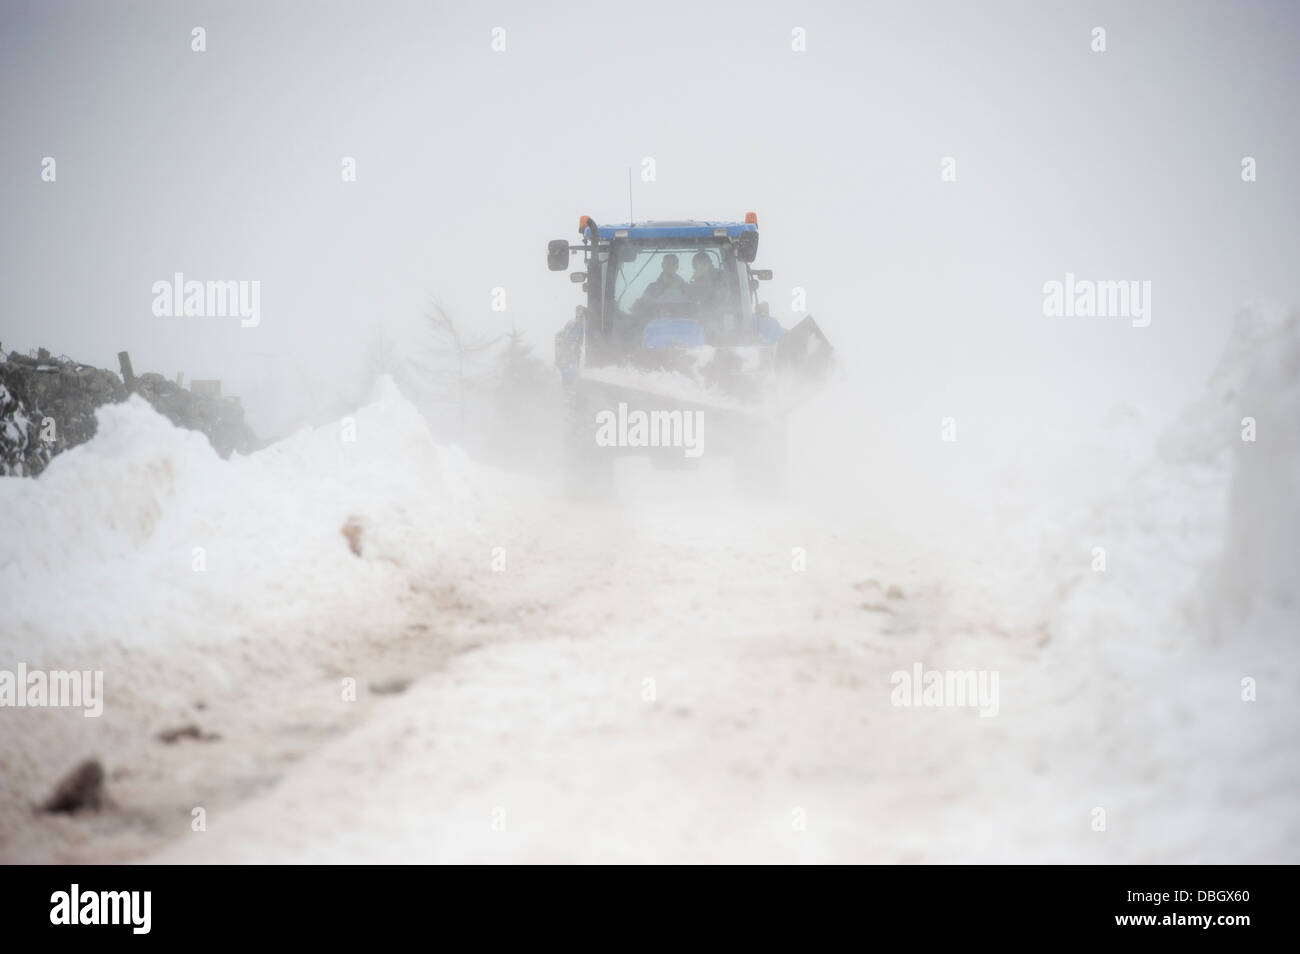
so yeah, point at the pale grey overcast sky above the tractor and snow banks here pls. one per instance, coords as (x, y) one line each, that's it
(226, 164)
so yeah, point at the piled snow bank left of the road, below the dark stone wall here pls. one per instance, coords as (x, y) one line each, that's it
(145, 535)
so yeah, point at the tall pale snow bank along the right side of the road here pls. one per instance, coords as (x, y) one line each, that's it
(1180, 656)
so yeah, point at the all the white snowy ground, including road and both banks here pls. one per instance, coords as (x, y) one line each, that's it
(656, 682)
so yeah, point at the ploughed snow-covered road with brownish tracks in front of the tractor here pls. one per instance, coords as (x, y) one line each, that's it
(660, 684)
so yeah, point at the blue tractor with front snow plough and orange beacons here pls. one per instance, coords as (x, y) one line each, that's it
(673, 342)
